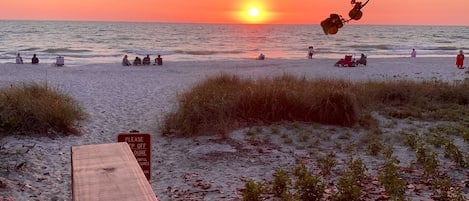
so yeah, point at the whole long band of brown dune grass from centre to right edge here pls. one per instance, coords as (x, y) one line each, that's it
(225, 102)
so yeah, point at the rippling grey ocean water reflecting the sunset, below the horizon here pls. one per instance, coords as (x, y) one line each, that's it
(107, 42)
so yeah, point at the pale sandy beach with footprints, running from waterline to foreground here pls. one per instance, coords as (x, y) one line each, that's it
(119, 99)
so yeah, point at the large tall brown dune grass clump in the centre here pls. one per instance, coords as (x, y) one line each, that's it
(222, 102)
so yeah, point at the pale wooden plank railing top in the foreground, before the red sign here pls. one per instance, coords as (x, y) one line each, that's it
(108, 172)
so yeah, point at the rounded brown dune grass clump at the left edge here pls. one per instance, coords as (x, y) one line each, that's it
(36, 108)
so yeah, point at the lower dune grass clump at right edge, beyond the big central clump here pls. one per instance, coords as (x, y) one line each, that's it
(422, 100)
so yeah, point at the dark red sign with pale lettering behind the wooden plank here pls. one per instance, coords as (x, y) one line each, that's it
(140, 144)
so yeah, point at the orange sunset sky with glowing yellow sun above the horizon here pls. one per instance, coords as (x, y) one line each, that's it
(396, 12)
